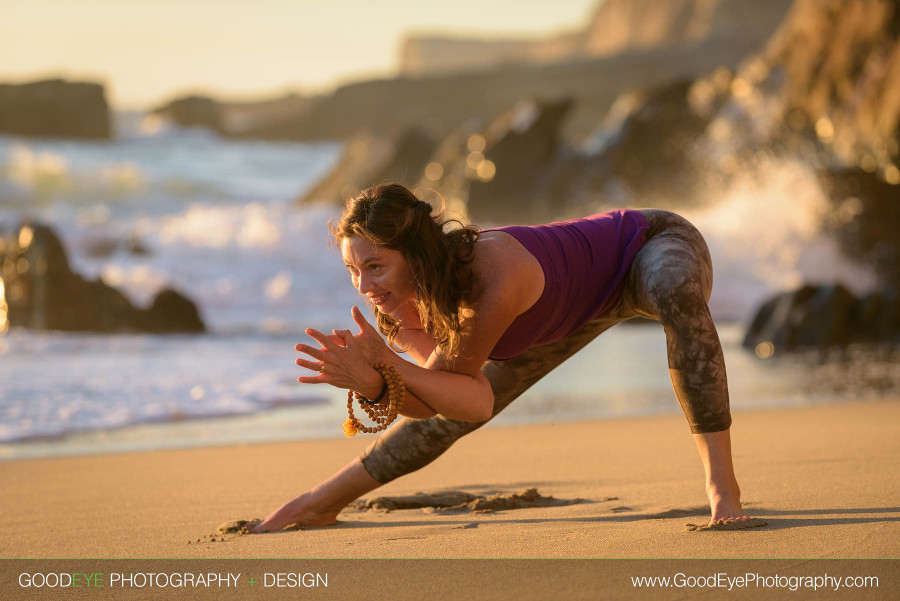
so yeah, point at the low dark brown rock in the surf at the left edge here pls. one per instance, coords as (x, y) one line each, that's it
(42, 292)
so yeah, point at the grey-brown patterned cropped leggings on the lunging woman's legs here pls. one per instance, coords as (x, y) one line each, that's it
(669, 281)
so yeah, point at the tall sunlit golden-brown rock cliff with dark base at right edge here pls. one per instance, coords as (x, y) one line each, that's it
(827, 89)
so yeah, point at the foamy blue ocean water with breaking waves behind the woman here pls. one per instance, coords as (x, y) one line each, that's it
(219, 221)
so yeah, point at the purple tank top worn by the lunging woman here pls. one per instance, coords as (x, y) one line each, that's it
(584, 263)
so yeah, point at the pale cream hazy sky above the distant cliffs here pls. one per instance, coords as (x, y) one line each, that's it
(146, 51)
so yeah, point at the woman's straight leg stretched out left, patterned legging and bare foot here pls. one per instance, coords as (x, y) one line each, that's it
(412, 444)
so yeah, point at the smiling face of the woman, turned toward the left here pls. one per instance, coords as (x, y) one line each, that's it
(382, 274)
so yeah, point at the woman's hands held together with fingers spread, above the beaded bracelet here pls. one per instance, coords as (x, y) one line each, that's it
(345, 360)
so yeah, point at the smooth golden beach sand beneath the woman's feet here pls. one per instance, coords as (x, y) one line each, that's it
(824, 478)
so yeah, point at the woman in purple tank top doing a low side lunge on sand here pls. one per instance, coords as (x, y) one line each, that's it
(487, 314)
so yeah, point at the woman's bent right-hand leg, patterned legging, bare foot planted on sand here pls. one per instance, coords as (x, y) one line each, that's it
(670, 280)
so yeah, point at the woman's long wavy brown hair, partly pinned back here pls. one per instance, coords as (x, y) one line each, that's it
(391, 216)
